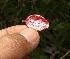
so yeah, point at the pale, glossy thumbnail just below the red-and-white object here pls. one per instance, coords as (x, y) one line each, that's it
(30, 34)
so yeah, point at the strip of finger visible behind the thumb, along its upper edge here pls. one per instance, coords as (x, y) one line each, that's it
(12, 29)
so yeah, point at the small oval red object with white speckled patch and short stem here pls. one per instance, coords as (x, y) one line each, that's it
(36, 22)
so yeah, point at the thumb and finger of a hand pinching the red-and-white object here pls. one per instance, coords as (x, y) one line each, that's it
(13, 45)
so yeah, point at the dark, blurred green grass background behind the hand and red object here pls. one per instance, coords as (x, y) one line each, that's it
(54, 41)
